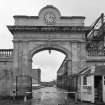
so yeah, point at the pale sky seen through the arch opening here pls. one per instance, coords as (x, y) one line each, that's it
(48, 63)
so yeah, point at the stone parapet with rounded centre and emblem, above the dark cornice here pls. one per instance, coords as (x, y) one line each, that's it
(47, 16)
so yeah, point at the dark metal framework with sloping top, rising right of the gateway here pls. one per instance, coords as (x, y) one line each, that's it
(94, 36)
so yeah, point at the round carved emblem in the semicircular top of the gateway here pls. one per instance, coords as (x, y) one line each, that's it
(50, 18)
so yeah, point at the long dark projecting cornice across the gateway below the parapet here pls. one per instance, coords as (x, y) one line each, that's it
(15, 28)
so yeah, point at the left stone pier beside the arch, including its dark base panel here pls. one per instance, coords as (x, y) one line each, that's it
(24, 71)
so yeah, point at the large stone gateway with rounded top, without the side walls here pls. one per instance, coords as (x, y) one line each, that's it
(47, 31)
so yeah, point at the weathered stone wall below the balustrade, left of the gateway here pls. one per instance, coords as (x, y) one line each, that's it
(6, 74)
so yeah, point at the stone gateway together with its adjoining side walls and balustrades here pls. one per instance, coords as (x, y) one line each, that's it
(47, 31)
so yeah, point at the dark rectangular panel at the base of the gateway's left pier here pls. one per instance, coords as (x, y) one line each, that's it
(24, 86)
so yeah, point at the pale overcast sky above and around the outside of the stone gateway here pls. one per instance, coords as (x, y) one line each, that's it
(91, 9)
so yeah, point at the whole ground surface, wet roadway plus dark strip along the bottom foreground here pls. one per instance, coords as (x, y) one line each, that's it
(46, 96)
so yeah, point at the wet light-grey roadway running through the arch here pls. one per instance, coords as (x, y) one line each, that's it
(49, 96)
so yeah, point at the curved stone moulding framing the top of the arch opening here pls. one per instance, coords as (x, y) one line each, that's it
(56, 47)
